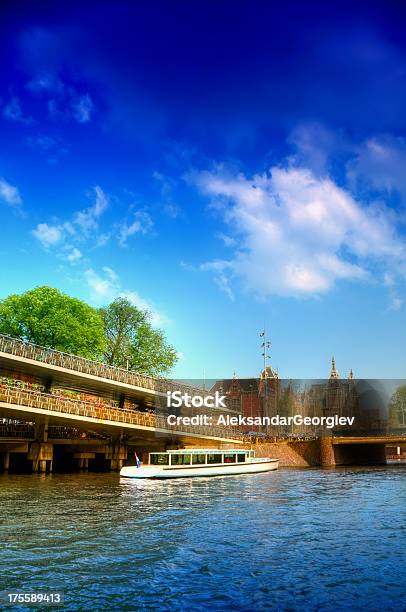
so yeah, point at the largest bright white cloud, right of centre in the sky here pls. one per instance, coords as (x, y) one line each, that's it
(298, 234)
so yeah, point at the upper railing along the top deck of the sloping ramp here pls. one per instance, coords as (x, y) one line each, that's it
(28, 350)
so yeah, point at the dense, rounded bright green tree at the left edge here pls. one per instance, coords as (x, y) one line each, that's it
(48, 317)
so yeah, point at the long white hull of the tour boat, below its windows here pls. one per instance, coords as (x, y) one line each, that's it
(226, 469)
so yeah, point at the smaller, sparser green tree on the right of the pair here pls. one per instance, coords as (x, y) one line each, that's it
(132, 341)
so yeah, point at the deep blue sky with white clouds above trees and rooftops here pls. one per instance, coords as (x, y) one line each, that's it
(227, 165)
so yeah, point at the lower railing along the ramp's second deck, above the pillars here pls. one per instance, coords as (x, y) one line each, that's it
(45, 401)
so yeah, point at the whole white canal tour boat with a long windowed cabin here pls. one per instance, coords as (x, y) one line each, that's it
(200, 462)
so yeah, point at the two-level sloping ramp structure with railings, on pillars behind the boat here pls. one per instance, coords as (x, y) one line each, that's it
(106, 415)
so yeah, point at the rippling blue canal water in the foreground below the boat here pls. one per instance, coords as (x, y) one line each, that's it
(287, 540)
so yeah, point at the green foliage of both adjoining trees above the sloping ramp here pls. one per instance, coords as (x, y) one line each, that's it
(119, 334)
